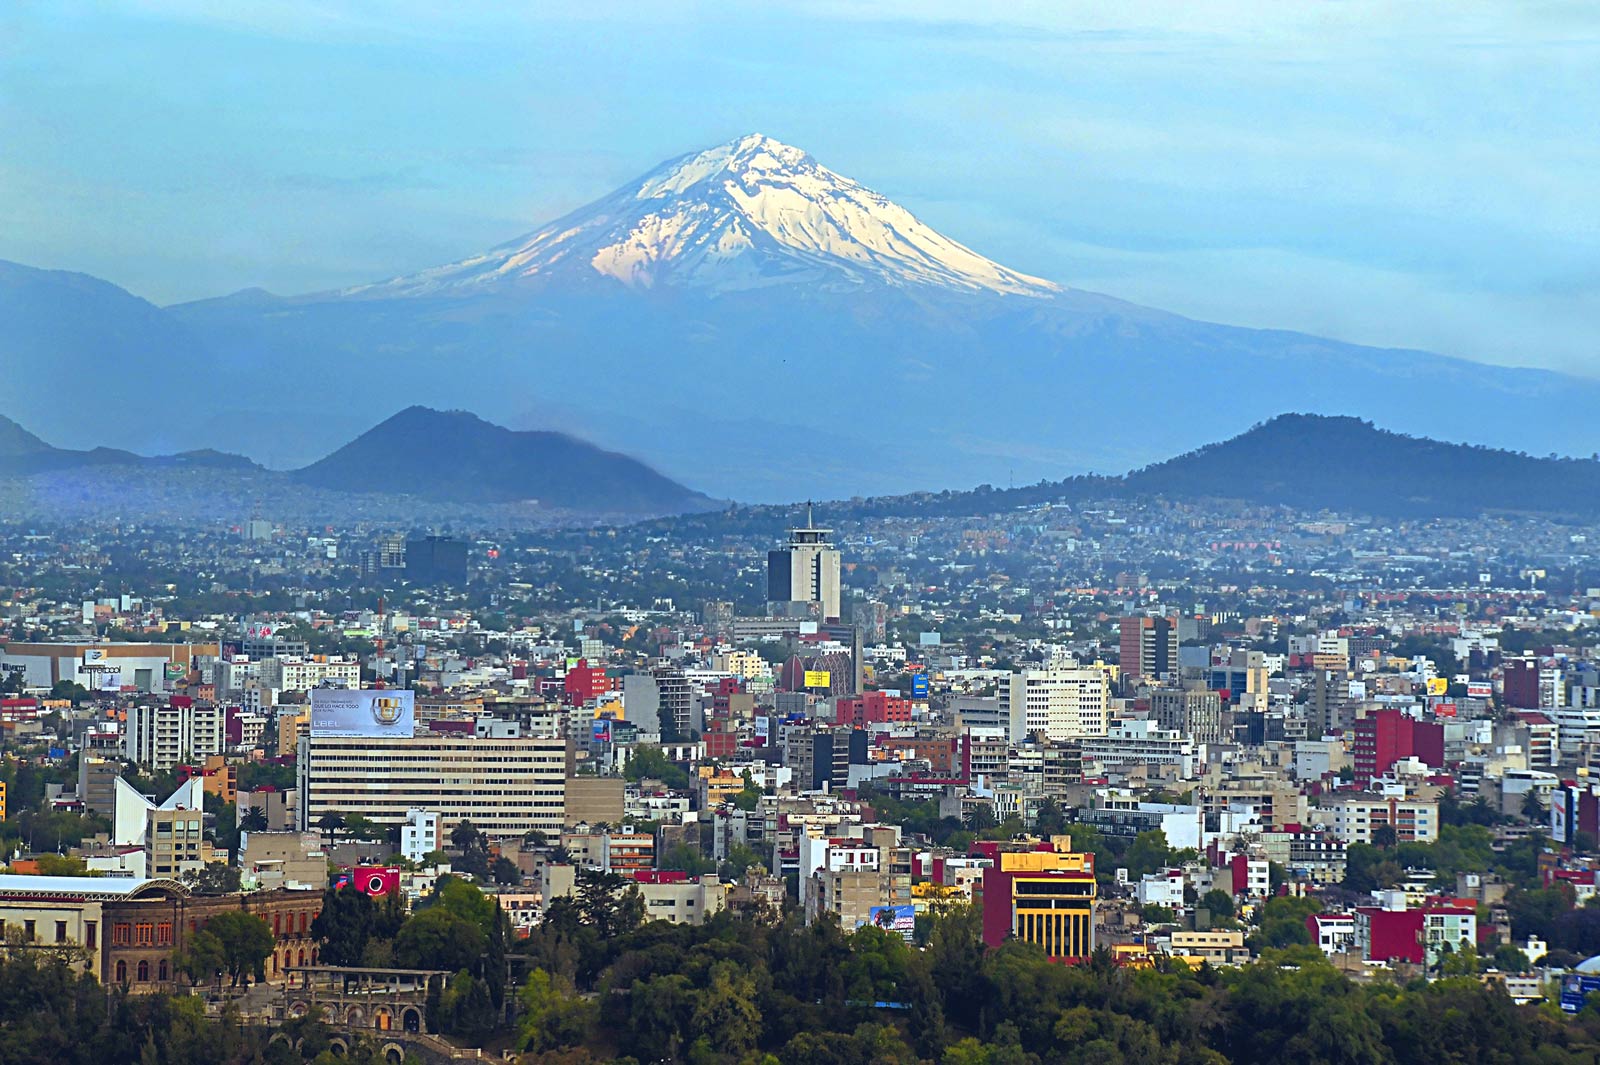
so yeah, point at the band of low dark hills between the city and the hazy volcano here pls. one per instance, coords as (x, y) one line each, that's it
(452, 466)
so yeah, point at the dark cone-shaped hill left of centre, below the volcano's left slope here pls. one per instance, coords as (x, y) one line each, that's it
(460, 458)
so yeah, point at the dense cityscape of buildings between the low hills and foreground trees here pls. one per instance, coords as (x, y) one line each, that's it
(415, 775)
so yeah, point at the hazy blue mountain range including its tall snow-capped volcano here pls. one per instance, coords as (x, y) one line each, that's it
(756, 327)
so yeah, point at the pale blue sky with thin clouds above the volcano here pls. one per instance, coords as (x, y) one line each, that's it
(1412, 175)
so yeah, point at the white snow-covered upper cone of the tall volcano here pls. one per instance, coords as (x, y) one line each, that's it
(742, 215)
